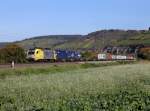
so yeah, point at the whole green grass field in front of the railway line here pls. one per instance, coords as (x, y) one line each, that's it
(77, 88)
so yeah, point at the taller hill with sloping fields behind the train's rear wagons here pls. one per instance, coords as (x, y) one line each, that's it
(100, 39)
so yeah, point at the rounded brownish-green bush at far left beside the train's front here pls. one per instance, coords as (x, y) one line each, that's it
(12, 53)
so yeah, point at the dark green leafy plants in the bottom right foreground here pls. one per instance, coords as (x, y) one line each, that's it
(121, 101)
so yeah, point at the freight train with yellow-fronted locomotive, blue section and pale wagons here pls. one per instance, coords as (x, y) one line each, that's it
(45, 54)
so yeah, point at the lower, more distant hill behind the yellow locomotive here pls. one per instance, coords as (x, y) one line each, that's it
(47, 41)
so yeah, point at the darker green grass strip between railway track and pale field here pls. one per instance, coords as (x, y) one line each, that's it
(52, 69)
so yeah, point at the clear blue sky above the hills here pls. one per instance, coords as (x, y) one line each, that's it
(20, 19)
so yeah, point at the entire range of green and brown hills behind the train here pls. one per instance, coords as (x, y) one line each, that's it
(98, 39)
